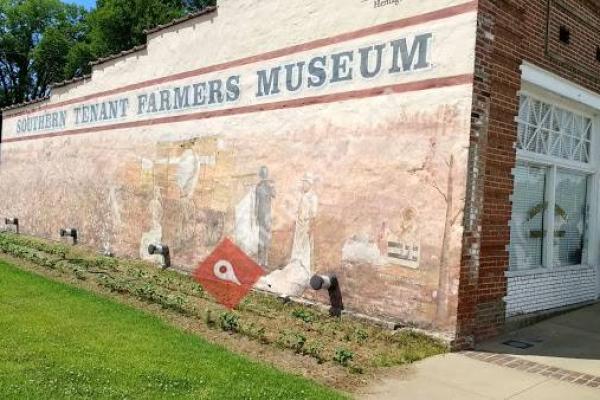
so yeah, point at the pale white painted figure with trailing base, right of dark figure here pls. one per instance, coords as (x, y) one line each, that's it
(294, 278)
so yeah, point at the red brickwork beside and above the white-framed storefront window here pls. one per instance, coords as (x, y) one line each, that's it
(510, 32)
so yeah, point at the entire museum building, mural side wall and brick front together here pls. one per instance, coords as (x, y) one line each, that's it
(420, 150)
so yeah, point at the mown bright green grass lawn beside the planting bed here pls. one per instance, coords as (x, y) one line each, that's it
(58, 342)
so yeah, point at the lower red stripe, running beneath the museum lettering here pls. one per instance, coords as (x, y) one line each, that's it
(279, 105)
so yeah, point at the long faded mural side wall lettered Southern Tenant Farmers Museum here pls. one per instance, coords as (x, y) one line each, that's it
(318, 141)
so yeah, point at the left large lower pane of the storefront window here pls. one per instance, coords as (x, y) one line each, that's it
(527, 221)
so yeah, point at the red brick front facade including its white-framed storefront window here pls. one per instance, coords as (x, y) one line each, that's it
(537, 63)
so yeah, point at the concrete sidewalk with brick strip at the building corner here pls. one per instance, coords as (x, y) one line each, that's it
(560, 359)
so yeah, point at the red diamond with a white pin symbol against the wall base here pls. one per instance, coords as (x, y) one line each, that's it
(228, 274)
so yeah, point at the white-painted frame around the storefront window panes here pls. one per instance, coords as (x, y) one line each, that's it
(568, 100)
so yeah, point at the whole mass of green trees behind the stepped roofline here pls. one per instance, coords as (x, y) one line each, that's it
(46, 41)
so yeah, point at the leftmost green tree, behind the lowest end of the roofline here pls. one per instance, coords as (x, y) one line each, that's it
(35, 39)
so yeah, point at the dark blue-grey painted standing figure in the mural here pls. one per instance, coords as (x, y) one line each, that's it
(265, 193)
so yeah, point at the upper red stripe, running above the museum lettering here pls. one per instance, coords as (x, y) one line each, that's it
(390, 26)
